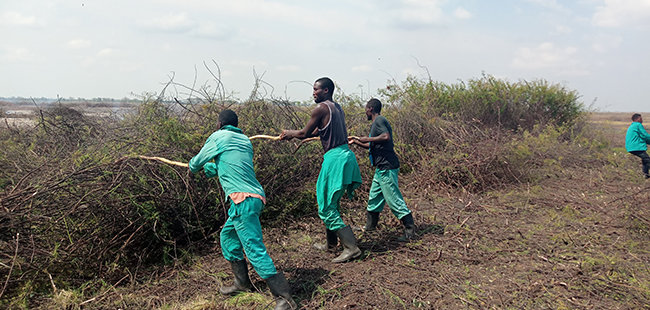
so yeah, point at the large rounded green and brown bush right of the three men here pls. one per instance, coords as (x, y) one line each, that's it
(468, 135)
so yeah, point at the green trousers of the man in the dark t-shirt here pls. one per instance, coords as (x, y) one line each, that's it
(384, 189)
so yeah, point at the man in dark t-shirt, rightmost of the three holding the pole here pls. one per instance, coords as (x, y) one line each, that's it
(384, 188)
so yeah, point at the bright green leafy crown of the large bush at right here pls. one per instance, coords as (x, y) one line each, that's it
(489, 101)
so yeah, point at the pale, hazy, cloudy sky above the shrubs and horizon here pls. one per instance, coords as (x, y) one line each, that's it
(120, 48)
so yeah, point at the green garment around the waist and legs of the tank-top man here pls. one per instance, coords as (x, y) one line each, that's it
(339, 173)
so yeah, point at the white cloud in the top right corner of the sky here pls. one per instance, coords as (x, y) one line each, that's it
(618, 13)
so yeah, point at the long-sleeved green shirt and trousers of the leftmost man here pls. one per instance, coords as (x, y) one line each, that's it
(233, 164)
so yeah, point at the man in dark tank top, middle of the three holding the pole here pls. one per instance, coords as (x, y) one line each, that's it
(339, 172)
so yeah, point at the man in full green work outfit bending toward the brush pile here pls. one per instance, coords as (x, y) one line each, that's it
(232, 153)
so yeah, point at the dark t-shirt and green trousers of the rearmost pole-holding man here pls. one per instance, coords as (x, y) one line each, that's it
(384, 188)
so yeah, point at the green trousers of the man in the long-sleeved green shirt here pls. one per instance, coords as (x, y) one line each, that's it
(242, 232)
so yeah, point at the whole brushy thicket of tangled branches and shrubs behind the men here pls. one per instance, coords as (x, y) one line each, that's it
(78, 205)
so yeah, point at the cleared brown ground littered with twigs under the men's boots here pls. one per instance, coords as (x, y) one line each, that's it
(579, 239)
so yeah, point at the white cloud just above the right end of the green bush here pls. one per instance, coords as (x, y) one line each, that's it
(547, 56)
